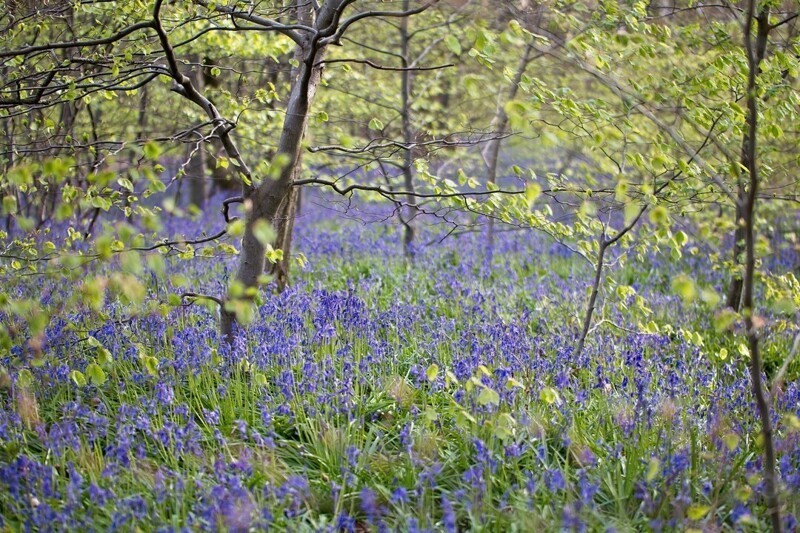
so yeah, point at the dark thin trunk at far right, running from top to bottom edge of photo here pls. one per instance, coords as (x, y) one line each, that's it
(755, 54)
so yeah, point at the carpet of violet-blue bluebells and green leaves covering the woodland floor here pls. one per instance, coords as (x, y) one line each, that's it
(376, 395)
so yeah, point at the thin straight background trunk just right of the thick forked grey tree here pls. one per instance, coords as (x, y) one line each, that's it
(408, 138)
